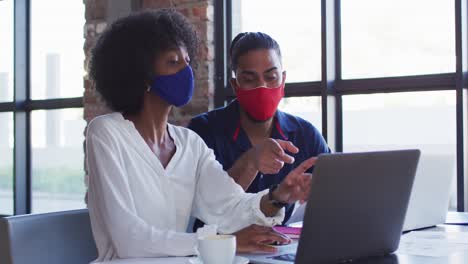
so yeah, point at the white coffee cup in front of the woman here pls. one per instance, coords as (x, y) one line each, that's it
(217, 249)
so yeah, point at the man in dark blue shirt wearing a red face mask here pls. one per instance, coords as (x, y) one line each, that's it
(256, 143)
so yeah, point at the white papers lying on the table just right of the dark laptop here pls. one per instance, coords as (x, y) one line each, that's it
(433, 243)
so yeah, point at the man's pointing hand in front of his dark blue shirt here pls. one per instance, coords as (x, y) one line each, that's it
(269, 156)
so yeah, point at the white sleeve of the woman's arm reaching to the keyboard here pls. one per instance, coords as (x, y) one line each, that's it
(110, 200)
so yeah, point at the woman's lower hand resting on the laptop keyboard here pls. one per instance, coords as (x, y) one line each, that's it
(257, 239)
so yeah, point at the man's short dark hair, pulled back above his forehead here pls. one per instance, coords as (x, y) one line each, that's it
(248, 41)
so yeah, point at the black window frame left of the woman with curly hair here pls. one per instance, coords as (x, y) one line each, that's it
(22, 106)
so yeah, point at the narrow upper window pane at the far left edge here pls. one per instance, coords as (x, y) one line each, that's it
(6, 50)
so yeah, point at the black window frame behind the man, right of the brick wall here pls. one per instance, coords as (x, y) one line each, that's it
(333, 86)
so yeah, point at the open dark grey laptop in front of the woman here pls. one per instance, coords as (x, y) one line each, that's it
(356, 208)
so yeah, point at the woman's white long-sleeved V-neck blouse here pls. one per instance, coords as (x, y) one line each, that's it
(138, 208)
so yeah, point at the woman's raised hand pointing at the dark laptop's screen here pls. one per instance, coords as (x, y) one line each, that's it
(296, 185)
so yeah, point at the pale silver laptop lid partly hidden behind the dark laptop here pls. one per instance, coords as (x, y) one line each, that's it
(431, 192)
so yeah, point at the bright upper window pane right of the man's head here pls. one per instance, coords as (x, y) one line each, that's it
(399, 37)
